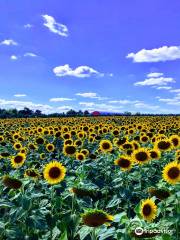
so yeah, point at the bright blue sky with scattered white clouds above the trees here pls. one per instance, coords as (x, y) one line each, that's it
(106, 55)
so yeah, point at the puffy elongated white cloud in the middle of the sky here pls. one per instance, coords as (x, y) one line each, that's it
(81, 71)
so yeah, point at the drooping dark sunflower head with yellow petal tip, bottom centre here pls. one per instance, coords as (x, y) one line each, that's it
(96, 218)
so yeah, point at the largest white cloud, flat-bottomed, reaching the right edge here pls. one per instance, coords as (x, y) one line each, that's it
(164, 53)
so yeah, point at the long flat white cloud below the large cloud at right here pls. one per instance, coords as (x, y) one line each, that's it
(155, 81)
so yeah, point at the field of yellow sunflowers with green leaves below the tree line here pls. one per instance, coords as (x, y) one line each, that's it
(90, 178)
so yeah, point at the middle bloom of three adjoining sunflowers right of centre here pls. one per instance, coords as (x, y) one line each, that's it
(141, 155)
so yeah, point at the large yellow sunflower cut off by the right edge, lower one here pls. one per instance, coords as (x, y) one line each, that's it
(171, 172)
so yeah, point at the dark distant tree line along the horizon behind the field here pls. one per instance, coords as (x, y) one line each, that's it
(28, 113)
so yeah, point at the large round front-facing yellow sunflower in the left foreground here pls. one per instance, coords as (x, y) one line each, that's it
(54, 172)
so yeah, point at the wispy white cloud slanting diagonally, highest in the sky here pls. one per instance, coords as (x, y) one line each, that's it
(54, 26)
